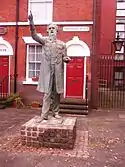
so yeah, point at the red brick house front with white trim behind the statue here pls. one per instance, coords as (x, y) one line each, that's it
(83, 26)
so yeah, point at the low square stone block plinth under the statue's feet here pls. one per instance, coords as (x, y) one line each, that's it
(53, 133)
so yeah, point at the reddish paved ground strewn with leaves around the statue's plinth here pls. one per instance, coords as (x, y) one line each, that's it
(100, 142)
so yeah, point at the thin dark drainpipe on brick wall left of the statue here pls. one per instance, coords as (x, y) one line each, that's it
(16, 46)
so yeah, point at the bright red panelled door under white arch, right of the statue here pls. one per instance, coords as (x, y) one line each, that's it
(74, 78)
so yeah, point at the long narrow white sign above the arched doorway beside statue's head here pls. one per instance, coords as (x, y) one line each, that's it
(76, 28)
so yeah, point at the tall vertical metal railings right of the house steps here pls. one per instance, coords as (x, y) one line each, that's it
(111, 83)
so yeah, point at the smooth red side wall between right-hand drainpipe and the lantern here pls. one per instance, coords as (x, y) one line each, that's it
(108, 24)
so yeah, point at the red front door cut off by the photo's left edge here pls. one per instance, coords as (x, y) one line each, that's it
(4, 71)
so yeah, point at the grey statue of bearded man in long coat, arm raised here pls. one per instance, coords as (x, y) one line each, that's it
(54, 54)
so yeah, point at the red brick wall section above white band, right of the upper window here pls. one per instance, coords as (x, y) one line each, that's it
(71, 10)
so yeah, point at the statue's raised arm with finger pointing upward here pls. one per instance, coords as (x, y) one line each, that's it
(33, 30)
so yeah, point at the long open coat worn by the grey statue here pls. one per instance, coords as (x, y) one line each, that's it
(45, 69)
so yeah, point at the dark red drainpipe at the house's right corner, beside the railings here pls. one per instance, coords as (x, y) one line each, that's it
(95, 41)
